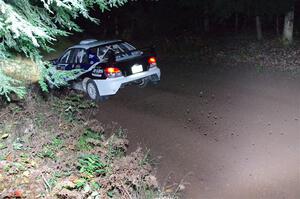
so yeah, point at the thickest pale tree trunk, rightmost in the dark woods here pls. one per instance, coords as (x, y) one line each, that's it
(288, 27)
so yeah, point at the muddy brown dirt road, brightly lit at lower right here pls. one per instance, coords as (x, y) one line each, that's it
(231, 134)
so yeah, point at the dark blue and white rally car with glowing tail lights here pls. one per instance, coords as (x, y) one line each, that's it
(107, 66)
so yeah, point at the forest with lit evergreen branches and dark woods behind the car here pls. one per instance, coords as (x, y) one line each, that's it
(29, 27)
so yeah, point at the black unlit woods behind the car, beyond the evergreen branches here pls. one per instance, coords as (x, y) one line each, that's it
(170, 19)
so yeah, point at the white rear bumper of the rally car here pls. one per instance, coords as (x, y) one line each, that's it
(111, 86)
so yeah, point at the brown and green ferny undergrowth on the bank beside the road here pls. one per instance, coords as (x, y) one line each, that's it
(50, 149)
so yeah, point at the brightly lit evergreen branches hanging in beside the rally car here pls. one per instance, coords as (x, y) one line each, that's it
(29, 26)
